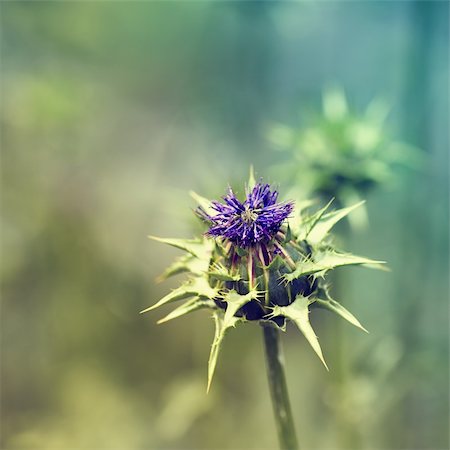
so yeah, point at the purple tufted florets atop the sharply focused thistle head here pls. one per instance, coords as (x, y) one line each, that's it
(246, 224)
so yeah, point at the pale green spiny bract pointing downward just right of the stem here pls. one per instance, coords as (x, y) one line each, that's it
(298, 312)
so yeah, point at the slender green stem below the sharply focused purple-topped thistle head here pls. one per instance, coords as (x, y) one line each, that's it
(278, 389)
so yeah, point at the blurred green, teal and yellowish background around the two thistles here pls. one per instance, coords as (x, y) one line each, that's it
(111, 112)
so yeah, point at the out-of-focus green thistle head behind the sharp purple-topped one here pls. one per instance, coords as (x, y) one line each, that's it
(342, 154)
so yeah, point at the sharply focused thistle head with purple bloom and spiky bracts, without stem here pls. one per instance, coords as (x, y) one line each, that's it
(260, 260)
